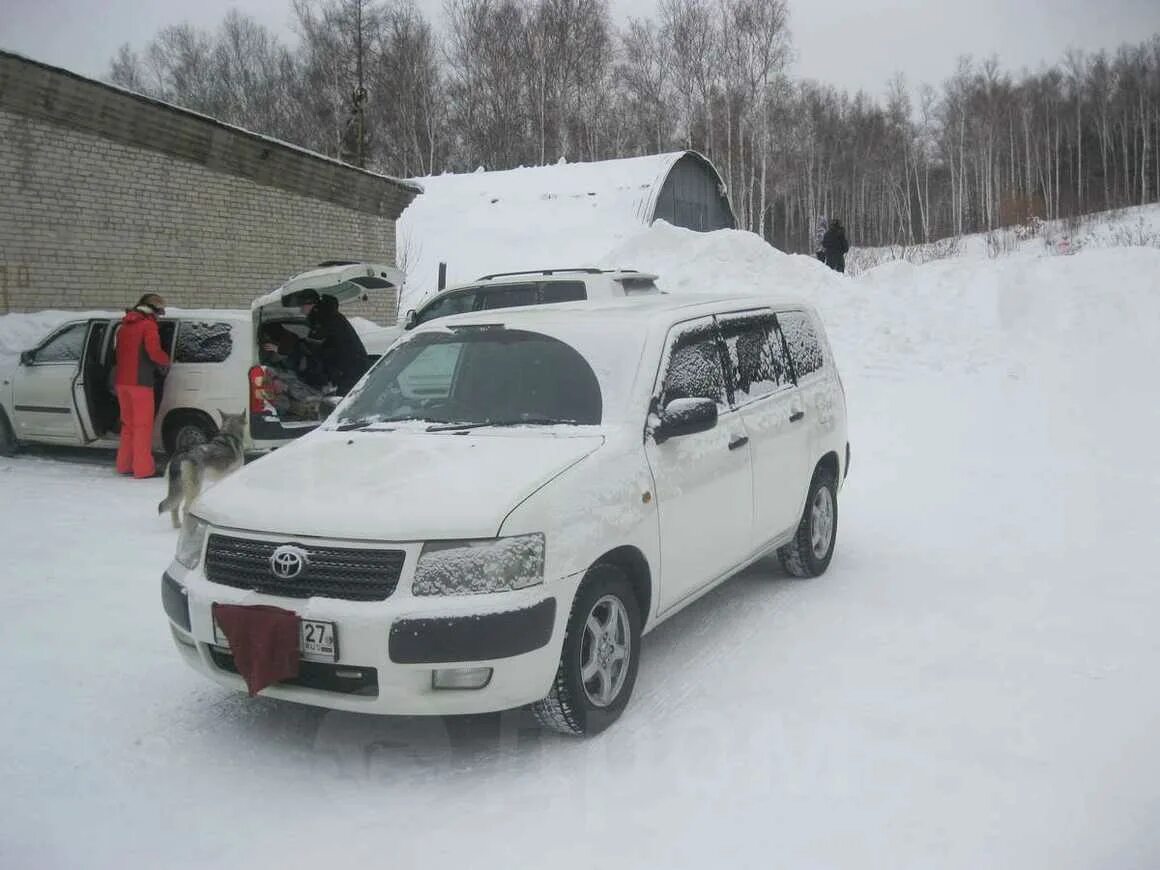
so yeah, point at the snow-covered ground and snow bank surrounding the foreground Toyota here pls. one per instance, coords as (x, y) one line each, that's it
(971, 685)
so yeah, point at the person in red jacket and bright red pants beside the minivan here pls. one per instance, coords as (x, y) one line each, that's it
(140, 361)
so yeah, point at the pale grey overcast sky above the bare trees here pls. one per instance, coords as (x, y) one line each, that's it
(850, 43)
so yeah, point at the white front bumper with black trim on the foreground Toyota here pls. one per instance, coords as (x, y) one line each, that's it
(388, 650)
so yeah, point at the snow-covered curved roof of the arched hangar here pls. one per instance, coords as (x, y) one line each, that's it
(565, 215)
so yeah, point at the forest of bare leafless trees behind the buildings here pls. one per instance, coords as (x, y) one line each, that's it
(511, 83)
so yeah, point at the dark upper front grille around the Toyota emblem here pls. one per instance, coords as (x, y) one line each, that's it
(331, 572)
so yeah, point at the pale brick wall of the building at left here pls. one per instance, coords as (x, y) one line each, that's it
(90, 223)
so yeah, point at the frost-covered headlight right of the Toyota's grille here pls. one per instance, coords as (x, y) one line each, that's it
(469, 568)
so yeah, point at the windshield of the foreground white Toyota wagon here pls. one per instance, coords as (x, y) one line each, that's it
(482, 376)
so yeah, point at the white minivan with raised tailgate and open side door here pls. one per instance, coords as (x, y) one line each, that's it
(61, 391)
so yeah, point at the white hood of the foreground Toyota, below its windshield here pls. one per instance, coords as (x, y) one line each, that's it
(380, 485)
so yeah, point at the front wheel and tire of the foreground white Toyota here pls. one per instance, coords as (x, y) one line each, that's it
(578, 707)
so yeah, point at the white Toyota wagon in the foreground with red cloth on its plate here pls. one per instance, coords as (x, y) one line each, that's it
(568, 478)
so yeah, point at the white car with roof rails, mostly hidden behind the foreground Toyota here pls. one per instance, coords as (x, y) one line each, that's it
(520, 289)
